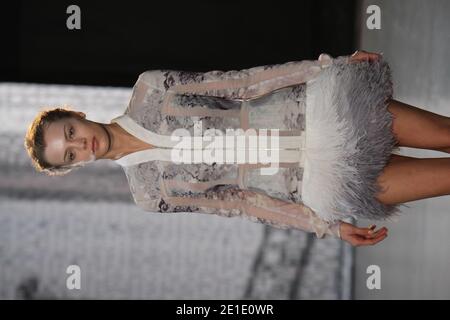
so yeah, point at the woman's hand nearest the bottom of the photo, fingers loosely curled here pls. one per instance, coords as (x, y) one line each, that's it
(361, 236)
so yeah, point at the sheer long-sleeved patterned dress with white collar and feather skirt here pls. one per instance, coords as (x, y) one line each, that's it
(311, 137)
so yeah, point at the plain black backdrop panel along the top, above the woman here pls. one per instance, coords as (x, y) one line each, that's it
(119, 40)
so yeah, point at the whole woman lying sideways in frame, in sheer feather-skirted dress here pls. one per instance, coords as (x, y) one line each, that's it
(333, 127)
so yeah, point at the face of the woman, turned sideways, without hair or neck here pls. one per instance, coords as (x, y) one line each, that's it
(71, 140)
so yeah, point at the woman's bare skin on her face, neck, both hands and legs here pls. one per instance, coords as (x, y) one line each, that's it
(412, 127)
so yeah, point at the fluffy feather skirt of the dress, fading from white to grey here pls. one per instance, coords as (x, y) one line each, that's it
(349, 140)
